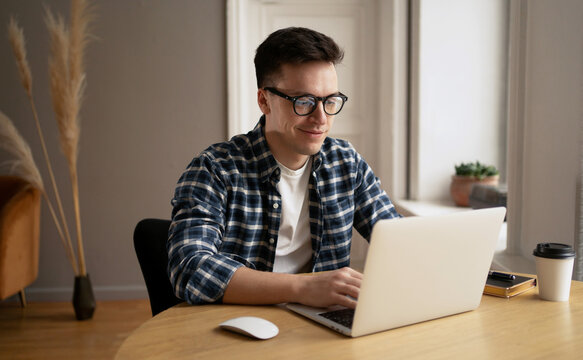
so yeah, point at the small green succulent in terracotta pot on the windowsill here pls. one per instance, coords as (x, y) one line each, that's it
(468, 174)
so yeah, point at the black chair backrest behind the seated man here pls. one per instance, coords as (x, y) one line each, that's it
(150, 237)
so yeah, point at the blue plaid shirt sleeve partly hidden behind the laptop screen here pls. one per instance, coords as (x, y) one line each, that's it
(371, 203)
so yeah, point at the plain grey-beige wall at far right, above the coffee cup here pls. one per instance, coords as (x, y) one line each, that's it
(552, 120)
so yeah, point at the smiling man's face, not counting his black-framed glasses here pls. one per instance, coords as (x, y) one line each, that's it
(293, 138)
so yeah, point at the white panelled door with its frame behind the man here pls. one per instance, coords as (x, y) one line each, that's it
(365, 30)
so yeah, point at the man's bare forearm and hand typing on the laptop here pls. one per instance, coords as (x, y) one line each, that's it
(323, 289)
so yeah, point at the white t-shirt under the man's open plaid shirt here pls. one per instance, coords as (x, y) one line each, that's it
(294, 245)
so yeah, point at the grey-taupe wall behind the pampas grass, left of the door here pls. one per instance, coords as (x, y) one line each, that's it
(156, 96)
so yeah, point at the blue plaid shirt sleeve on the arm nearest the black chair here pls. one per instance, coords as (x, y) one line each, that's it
(197, 271)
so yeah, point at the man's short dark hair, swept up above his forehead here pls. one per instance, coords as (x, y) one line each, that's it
(293, 45)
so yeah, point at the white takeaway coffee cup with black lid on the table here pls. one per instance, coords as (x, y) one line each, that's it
(554, 268)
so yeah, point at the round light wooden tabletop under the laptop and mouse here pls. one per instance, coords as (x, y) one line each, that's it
(523, 327)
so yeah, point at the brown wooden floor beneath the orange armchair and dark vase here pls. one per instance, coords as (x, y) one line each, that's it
(50, 330)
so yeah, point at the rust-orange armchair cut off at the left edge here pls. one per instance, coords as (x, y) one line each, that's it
(19, 235)
